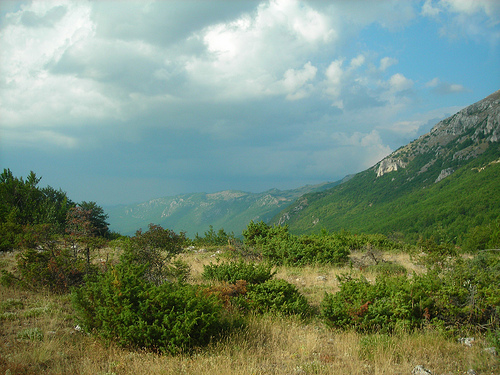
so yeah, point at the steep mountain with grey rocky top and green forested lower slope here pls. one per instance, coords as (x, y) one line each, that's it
(446, 184)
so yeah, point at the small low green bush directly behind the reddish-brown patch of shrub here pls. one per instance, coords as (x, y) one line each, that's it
(231, 272)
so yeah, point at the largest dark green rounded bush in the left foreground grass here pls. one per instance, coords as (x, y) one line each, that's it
(121, 306)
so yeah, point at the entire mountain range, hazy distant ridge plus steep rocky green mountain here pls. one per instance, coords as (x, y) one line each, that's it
(444, 184)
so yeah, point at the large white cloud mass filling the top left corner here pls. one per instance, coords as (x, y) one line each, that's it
(30, 93)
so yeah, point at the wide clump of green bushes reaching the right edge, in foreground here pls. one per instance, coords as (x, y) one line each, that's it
(460, 297)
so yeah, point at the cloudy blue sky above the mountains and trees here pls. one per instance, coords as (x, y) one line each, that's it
(124, 101)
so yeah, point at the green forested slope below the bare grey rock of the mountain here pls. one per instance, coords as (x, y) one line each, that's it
(449, 208)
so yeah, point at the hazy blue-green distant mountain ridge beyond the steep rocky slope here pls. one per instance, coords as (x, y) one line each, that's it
(194, 213)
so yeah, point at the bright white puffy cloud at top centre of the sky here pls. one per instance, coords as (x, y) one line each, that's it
(247, 55)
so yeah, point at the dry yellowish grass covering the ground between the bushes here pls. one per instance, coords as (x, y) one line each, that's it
(37, 336)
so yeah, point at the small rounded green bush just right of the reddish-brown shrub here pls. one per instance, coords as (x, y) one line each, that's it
(277, 296)
